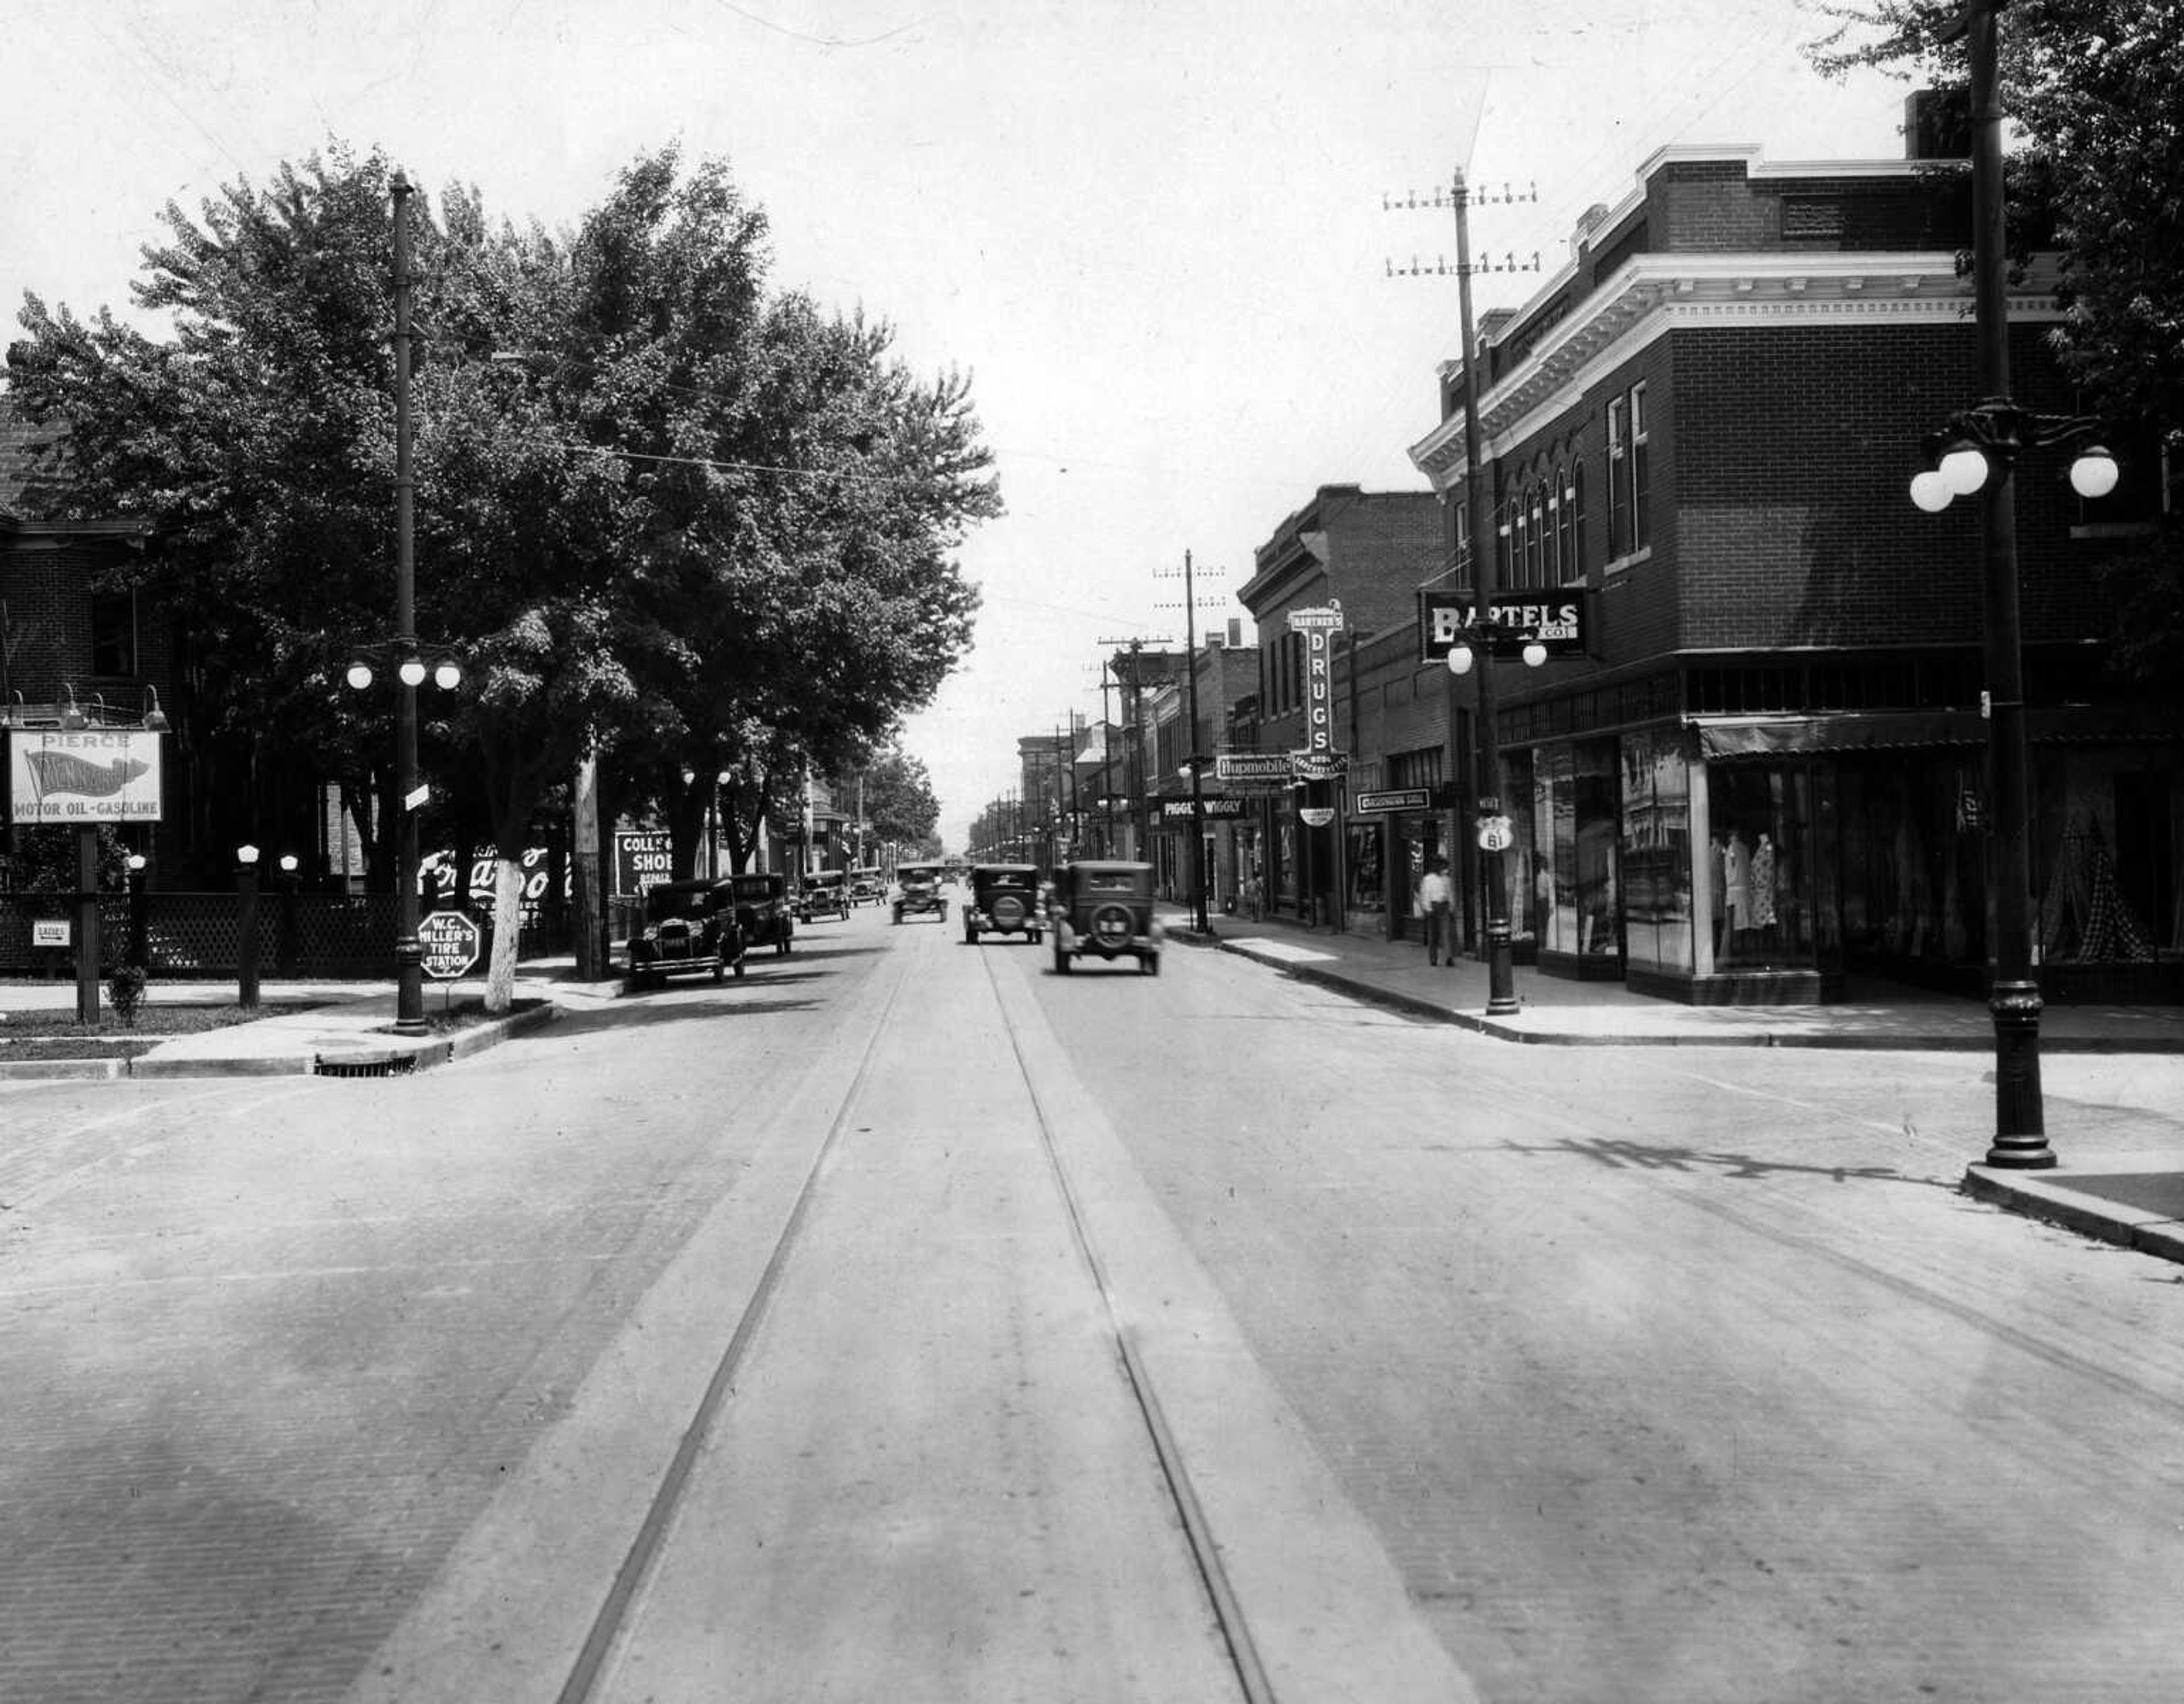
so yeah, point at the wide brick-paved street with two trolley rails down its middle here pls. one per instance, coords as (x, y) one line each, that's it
(905, 1321)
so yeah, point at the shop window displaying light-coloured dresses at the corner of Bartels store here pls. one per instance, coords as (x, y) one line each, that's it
(1761, 853)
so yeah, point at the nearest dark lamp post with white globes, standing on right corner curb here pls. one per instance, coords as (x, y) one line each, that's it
(1980, 451)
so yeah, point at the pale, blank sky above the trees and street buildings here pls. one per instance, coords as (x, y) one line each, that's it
(1152, 233)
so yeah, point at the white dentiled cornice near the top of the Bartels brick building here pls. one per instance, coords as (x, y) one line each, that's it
(1661, 294)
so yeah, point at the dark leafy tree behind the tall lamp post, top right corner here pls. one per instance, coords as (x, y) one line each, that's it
(2093, 91)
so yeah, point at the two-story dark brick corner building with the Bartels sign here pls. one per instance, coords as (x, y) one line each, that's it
(1770, 766)
